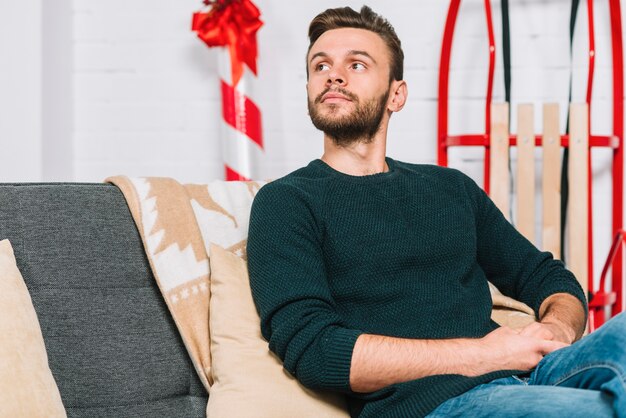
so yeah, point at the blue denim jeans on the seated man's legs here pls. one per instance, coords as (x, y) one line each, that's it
(586, 379)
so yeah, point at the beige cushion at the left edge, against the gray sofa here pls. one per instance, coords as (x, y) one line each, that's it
(27, 388)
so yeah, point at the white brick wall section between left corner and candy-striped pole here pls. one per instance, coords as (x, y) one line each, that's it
(146, 95)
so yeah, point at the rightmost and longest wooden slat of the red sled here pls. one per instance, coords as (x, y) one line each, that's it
(578, 190)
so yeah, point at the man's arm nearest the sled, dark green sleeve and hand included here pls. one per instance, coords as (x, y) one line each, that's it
(519, 270)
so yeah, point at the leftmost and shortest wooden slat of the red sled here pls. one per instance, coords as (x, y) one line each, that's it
(499, 164)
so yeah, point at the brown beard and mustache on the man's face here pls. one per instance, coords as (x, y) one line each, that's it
(359, 126)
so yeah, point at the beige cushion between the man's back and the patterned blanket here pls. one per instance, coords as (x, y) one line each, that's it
(249, 381)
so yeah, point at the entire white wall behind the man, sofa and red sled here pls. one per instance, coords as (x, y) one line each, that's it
(93, 88)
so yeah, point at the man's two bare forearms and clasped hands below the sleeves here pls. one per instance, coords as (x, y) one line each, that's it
(378, 361)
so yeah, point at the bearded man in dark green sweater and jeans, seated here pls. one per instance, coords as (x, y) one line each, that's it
(370, 274)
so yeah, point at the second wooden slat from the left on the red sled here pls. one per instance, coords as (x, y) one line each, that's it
(526, 171)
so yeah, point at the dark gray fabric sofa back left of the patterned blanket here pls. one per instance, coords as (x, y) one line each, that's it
(112, 345)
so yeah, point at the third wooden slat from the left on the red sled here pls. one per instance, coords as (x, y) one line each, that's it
(551, 180)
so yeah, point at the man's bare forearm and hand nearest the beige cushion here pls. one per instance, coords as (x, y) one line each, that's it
(379, 361)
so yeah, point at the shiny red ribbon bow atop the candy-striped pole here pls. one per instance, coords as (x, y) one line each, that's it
(234, 24)
